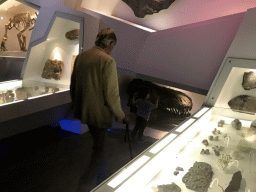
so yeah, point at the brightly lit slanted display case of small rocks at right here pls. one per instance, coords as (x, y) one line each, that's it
(226, 161)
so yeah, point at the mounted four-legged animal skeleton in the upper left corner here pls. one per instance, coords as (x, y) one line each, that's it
(24, 19)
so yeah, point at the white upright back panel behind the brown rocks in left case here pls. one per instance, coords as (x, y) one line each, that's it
(57, 46)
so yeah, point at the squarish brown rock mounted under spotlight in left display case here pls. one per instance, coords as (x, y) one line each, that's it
(52, 69)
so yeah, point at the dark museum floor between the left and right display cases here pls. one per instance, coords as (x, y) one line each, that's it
(49, 159)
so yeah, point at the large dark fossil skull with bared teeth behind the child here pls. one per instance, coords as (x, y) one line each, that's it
(175, 103)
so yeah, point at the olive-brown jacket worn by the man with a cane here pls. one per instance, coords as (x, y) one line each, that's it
(94, 89)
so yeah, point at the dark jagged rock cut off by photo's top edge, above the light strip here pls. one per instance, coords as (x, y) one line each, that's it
(147, 7)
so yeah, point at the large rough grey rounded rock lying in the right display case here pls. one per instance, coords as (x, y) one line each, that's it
(199, 177)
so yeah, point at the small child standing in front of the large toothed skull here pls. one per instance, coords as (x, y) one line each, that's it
(143, 113)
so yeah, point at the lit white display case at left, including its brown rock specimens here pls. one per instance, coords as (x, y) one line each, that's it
(49, 66)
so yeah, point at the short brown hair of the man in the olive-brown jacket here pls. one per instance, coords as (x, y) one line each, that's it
(103, 35)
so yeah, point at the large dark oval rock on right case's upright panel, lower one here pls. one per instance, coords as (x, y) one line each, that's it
(243, 103)
